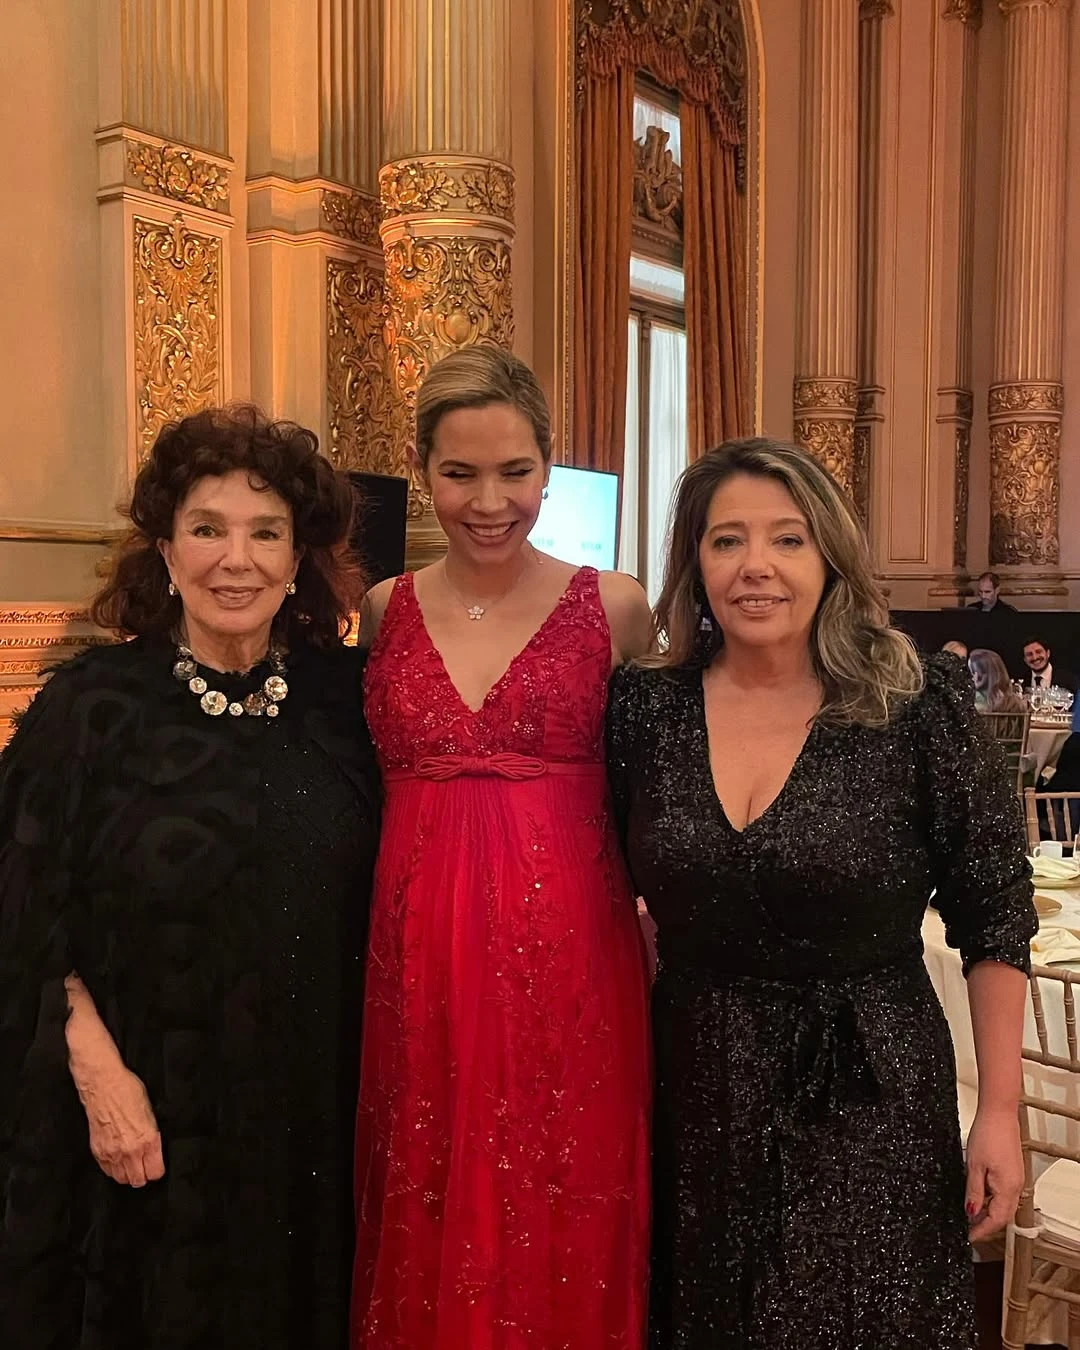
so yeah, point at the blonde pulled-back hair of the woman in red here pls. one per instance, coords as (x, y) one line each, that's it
(475, 377)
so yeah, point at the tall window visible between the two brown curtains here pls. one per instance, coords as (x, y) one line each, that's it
(657, 437)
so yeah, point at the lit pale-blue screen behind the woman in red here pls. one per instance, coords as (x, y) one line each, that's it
(578, 522)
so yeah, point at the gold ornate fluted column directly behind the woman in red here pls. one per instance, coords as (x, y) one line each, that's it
(448, 198)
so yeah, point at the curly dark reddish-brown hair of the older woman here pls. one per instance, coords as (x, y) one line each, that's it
(283, 458)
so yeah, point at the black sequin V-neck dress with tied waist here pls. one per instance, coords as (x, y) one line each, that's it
(809, 1189)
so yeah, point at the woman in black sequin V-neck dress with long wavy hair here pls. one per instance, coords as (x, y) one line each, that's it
(793, 786)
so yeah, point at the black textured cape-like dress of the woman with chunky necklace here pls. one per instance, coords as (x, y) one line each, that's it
(209, 878)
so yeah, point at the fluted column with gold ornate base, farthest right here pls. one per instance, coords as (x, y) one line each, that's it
(1027, 396)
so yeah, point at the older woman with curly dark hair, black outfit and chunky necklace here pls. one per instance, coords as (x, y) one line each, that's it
(187, 835)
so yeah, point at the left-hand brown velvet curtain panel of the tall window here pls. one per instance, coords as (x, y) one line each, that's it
(603, 298)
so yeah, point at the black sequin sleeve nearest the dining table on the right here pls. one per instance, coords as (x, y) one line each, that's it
(977, 827)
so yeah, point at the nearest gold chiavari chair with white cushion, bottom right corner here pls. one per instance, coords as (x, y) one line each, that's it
(1046, 1232)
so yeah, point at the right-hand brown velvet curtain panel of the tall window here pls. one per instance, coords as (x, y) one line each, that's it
(715, 263)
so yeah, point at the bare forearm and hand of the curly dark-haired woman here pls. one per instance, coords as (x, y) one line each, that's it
(125, 1137)
